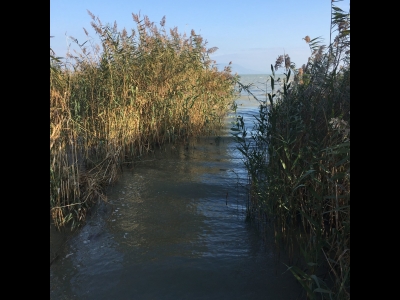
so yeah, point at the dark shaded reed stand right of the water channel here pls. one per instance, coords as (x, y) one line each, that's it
(298, 161)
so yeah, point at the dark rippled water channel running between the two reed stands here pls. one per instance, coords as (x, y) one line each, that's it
(174, 228)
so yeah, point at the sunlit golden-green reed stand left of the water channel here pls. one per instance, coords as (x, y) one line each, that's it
(113, 102)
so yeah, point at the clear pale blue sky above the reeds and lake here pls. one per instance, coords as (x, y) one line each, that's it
(250, 33)
